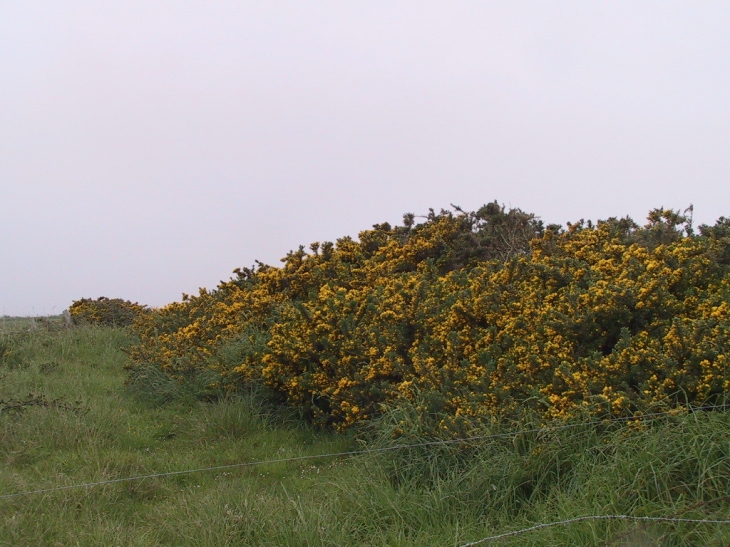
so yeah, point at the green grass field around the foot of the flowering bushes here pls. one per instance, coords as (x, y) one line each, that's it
(67, 418)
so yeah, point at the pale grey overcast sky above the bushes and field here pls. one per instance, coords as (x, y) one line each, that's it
(147, 148)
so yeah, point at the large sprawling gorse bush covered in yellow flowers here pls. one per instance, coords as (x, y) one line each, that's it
(468, 316)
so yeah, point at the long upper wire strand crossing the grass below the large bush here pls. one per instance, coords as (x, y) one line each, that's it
(350, 453)
